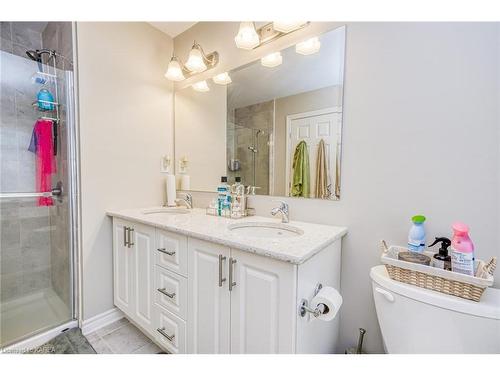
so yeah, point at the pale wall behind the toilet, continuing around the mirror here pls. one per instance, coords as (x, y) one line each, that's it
(420, 100)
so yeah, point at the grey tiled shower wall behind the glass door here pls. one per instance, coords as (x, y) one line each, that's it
(34, 252)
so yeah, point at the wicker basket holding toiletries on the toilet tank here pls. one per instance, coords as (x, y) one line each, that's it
(455, 284)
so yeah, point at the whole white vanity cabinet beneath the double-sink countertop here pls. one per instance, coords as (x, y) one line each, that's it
(196, 296)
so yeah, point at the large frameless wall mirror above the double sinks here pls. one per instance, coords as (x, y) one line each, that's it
(278, 128)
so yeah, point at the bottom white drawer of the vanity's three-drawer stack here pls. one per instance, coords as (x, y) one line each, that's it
(169, 331)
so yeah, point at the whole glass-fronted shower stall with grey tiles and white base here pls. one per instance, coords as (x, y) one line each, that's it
(38, 180)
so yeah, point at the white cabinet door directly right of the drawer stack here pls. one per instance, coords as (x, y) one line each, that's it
(209, 300)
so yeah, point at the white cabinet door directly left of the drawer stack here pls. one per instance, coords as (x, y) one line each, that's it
(143, 274)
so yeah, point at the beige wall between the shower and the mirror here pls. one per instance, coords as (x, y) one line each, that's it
(125, 129)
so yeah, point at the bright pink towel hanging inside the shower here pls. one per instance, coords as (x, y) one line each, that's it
(43, 145)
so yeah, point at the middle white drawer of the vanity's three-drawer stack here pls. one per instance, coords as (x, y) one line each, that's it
(171, 291)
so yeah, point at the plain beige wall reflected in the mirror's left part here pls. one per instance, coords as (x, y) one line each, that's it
(200, 135)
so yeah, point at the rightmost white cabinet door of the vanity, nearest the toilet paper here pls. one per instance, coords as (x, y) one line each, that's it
(262, 304)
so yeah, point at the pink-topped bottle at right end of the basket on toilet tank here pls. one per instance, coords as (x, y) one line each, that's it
(462, 250)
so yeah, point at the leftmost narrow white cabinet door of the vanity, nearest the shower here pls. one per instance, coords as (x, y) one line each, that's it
(122, 263)
